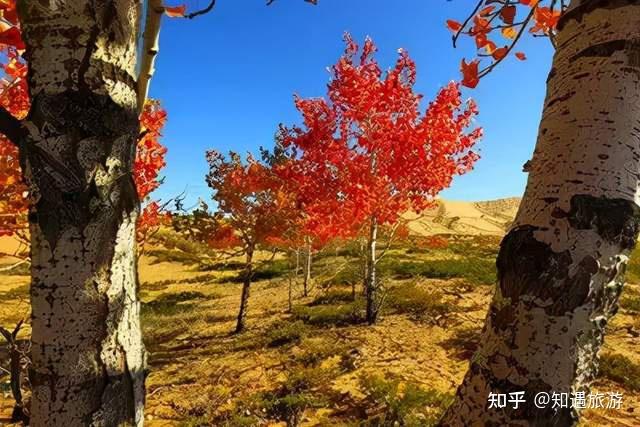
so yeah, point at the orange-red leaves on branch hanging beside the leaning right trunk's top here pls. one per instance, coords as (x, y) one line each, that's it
(495, 28)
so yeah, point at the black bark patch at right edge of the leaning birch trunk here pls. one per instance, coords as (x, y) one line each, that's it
(617, 221)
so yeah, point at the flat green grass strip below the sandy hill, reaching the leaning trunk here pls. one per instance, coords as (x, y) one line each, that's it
(474, 269)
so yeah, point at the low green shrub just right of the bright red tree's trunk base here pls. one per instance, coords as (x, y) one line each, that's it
(419, 303)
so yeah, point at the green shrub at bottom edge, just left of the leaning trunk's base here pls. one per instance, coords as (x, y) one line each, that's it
(401, 403)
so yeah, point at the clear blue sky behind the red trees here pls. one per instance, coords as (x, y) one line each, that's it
(227, 80)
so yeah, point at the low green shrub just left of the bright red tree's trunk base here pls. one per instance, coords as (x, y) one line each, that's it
(331, 314)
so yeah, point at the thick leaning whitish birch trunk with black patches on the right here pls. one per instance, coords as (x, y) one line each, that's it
(561, 266)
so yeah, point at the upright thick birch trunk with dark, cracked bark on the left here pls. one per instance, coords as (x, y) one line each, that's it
(88, 359)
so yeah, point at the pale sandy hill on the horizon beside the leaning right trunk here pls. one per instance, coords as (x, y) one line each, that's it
(490, 217)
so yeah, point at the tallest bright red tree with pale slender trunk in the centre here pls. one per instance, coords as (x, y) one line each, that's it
(368, 153)
